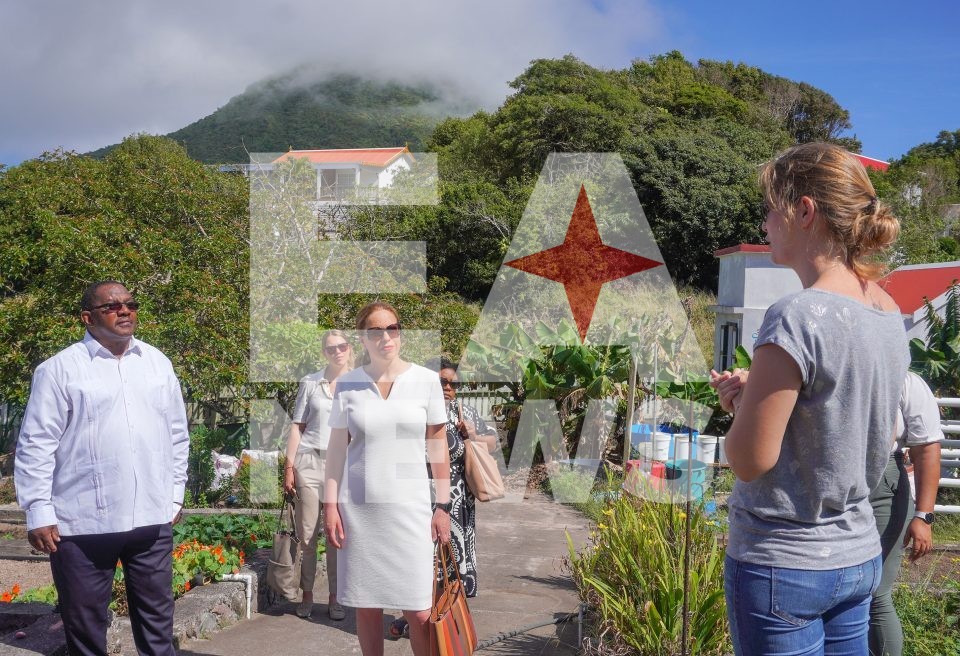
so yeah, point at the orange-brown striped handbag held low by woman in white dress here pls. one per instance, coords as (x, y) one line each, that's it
(452, 632)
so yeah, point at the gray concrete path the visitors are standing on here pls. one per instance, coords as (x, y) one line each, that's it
(520, 546)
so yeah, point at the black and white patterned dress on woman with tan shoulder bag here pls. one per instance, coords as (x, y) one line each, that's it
(463, 515)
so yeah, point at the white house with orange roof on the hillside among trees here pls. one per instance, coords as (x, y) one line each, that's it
(347, 174)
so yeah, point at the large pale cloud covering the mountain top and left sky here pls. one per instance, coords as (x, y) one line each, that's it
(87, 74)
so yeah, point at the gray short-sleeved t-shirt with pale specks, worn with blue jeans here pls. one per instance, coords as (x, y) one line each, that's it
(812, 510)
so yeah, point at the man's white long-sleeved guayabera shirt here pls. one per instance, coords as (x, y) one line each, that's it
(104, 442)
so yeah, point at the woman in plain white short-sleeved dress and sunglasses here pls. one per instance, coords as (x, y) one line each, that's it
(377, 506)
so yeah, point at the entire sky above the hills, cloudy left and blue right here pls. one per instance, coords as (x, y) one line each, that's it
(80, 76)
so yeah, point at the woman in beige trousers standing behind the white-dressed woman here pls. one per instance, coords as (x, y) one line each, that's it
(304, 471)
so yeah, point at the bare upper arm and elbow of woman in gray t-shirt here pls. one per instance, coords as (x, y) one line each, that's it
(762, 411)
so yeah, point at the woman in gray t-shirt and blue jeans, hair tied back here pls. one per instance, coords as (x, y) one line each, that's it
(814, 423)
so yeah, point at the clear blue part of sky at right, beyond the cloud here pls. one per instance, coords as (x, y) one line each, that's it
(895, 66)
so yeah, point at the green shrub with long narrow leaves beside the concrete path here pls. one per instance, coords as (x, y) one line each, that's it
(632, 574)
